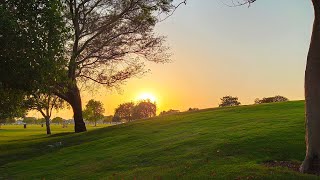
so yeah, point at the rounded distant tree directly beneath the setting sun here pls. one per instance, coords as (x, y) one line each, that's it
(144, 109)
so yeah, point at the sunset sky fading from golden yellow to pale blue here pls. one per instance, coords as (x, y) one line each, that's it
(248, 52)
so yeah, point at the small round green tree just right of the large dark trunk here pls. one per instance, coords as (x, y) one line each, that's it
(94, 111)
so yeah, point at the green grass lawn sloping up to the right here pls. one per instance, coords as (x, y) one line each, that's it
(222, 143)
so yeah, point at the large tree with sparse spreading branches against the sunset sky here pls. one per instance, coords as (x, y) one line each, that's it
(109, 39)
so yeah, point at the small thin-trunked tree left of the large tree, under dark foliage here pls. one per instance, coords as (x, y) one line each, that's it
(45, 103)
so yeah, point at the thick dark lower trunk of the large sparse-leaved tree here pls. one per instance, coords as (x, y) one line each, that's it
(74, 100)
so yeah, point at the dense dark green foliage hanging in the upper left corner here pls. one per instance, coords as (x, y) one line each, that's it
(33, 36)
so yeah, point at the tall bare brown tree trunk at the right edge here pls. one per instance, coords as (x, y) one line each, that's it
(311, 164)
